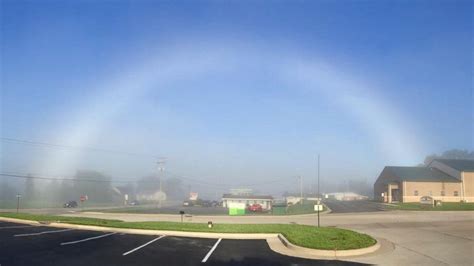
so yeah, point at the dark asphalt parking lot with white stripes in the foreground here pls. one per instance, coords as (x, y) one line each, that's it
(41, 245)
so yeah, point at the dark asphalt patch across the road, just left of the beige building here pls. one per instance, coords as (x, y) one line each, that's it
(353, 206)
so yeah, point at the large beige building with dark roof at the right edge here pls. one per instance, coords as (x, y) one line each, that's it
(448, 180)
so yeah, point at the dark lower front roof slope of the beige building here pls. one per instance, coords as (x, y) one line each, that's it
(414, 173)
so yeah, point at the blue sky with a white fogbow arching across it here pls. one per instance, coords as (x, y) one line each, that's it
(236, 91)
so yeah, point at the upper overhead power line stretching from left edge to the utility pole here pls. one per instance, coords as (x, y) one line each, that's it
(77, 148)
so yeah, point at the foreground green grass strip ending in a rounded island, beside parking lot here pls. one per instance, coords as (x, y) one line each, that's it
(328, 238)
